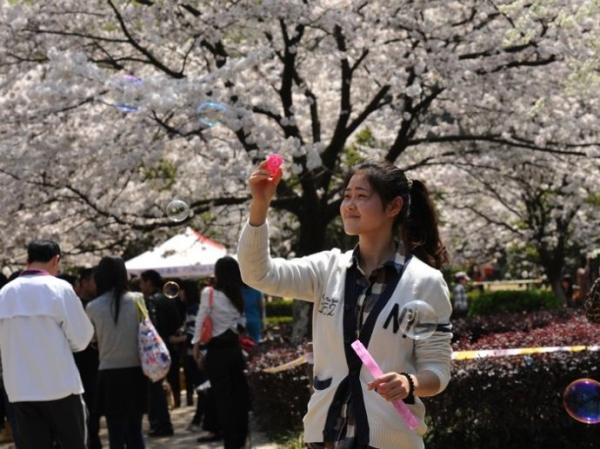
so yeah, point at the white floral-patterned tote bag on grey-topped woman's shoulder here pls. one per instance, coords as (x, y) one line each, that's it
(154, 355)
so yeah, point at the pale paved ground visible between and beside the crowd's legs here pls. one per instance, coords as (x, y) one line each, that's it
(182, 438)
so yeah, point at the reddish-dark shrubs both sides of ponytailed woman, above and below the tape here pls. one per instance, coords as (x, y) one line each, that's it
(493, 403)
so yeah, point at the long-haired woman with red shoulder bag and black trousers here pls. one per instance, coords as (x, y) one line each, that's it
(224, 361)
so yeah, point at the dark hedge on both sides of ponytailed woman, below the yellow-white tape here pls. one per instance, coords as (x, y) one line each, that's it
(494, 403)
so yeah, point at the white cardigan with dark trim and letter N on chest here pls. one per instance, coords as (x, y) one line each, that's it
(320, 278)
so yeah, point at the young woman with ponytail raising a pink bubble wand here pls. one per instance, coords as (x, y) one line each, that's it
(359, 294)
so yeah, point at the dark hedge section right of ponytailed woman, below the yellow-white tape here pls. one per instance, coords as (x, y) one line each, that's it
(512, 403)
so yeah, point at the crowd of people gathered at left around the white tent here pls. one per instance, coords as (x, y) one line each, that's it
(69, 347)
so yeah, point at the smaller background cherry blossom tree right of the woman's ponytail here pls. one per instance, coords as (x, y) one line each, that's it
(511, 202)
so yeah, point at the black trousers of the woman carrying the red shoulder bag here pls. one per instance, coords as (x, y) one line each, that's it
(225, 369)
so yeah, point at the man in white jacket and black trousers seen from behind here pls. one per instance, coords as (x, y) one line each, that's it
(42, 322)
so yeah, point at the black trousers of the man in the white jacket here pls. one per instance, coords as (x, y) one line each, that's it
(41, 423)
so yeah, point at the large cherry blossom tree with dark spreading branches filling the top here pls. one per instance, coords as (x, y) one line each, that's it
(106, 105)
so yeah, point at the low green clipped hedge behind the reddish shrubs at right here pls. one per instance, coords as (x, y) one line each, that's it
(511, 301)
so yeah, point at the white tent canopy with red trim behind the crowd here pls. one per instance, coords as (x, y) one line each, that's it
(187, 255)
